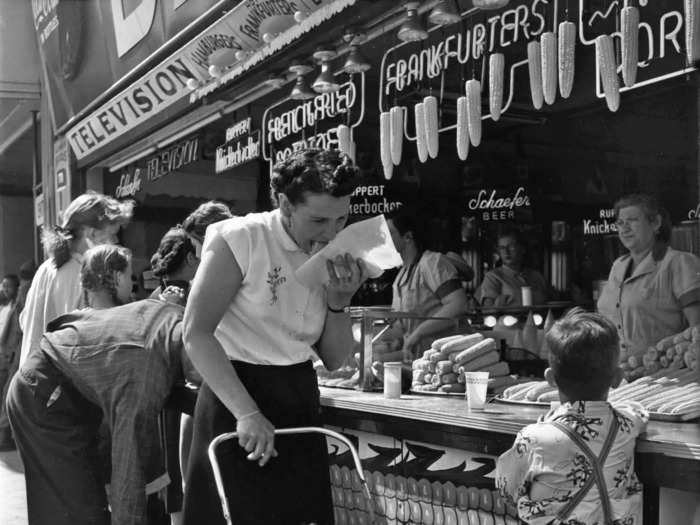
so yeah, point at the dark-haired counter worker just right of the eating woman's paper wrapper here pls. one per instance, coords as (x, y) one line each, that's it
(428, 284)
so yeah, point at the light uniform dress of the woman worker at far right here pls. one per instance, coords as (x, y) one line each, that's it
(647, 305)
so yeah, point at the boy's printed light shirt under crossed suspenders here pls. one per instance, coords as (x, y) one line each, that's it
(545, 469)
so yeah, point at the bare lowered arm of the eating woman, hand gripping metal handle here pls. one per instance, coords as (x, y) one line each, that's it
(217, 281)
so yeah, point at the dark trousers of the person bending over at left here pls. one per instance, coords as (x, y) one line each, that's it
(56, 438)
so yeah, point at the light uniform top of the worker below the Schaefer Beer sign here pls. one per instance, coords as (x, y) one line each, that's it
(505, 281)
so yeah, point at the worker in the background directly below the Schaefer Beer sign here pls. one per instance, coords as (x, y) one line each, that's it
(502, 286)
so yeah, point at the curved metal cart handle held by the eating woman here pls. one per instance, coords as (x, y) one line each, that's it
(281, 431)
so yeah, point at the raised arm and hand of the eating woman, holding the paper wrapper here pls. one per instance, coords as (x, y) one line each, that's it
(336, 343)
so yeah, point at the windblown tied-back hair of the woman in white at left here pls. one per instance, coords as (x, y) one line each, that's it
(90, 209)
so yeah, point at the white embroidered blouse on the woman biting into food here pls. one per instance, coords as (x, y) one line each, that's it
(273, 319)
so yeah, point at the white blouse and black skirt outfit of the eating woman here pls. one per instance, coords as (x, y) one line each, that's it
(269, 332)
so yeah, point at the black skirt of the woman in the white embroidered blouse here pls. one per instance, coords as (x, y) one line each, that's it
(292, 488)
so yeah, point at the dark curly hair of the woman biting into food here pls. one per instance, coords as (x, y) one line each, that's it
(328, 172)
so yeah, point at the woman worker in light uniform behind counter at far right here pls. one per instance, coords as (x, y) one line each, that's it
(653, 291)
